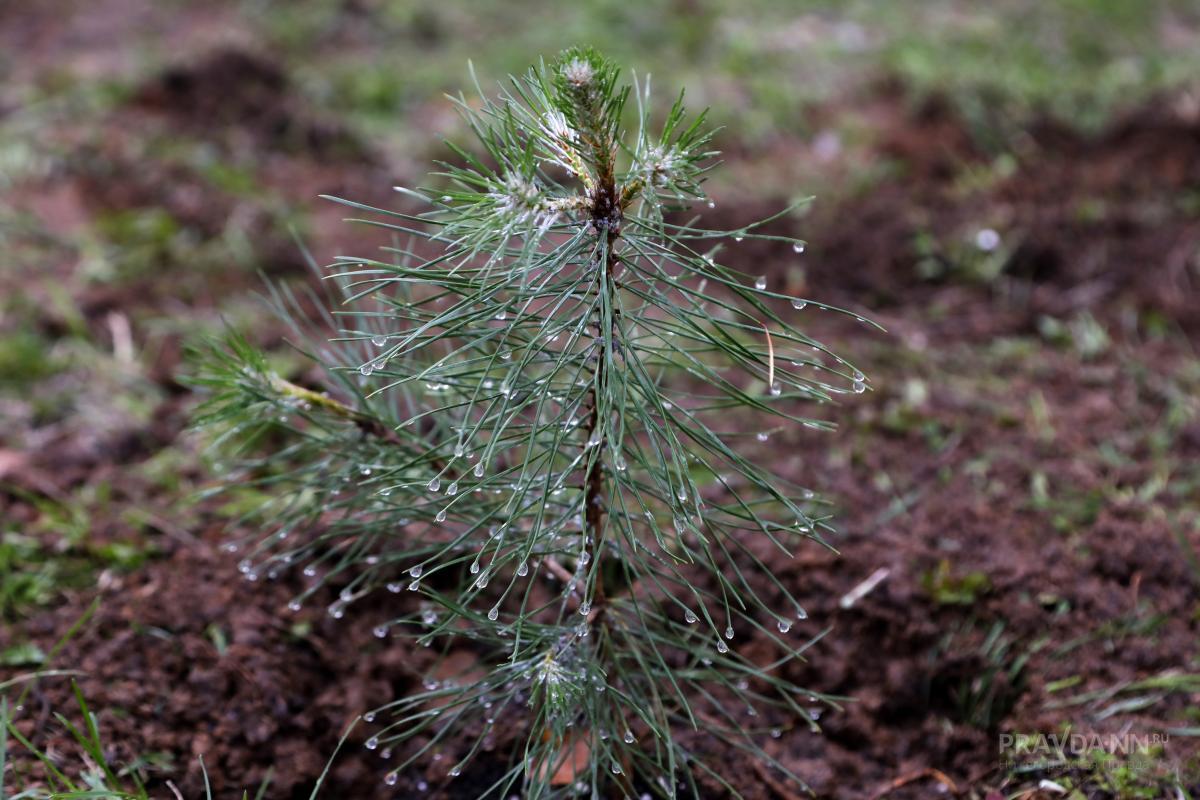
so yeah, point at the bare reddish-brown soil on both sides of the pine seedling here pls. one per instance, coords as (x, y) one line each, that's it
(184, 658)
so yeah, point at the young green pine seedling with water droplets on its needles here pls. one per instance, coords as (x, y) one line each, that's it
(538, 428)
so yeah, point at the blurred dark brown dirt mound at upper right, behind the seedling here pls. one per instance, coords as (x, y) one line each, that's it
(1066, 224)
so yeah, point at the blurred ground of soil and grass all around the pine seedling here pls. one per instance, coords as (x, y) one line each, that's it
(1012, 188)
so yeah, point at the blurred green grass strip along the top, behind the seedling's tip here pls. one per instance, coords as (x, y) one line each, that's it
(763, 63)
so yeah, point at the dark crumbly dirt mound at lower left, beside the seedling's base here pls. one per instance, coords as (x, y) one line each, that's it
(181, 659)
